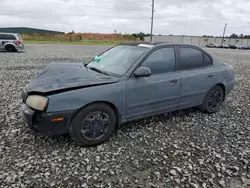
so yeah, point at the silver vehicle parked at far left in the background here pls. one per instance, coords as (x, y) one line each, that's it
(11, 42)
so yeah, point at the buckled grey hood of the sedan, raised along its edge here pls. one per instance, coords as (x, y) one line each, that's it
(61, 76)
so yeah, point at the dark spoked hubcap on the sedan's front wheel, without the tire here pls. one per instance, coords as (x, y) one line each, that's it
(95, 126)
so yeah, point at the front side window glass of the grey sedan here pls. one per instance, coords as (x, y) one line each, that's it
(161, 61)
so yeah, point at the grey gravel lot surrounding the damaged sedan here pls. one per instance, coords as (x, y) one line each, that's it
(181, 149)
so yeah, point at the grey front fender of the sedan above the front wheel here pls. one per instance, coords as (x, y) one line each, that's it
(76, 99)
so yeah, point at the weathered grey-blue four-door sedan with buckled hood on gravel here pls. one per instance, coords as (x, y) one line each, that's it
(126, 82)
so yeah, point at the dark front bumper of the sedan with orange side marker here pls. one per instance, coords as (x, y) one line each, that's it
(40, 122)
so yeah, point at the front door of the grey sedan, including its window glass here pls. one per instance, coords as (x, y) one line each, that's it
(157, 93)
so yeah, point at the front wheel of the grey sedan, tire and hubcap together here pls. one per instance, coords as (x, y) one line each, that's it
(80, 135)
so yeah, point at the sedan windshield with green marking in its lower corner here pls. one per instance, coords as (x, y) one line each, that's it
(118, 59)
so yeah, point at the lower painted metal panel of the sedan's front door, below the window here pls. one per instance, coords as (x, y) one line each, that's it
(156, 94)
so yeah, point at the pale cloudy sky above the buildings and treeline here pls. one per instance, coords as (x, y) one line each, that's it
(176, 17)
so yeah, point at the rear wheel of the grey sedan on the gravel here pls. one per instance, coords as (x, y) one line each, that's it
(217, 94)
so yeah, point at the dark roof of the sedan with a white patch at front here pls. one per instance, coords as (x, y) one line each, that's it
(154, 44)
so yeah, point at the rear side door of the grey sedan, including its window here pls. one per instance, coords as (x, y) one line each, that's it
(197, 75)
